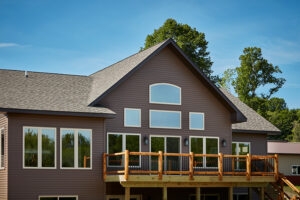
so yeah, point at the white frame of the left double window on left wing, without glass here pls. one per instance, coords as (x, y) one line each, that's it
(40, 147)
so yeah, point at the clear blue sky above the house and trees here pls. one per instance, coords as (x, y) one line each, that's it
(81, 37)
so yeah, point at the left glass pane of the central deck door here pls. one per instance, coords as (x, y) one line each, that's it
(157, 144)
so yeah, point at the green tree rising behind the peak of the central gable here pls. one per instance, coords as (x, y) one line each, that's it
(191, 41)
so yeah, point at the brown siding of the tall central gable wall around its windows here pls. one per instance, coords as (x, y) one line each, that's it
(166, 67)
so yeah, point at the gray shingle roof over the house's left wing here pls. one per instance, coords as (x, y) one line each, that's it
(47, 92)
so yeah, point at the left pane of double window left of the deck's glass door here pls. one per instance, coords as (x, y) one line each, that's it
(115, 146)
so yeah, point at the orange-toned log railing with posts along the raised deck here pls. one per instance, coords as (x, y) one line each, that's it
(192, 164)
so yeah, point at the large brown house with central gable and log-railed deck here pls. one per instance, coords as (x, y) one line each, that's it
(151, 126)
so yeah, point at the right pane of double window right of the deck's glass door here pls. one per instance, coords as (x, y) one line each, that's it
(211, 148)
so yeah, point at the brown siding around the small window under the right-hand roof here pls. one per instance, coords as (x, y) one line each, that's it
(258, 142)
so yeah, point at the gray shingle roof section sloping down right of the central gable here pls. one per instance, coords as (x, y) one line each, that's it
(254, 123)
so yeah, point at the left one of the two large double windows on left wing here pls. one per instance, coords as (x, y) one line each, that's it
(39, 147)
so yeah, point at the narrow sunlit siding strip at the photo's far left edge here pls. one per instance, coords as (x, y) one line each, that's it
(3, 172)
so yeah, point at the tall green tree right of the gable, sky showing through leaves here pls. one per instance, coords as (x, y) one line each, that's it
(254, 72)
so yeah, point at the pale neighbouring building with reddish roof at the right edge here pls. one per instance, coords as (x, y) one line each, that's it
(288, 158)
